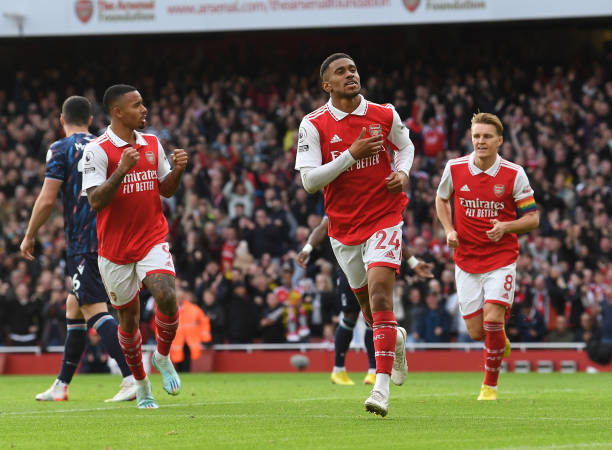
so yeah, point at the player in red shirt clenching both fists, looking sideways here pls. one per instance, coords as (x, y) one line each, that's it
(124, 174)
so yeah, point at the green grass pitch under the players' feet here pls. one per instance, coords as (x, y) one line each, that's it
(432, 410)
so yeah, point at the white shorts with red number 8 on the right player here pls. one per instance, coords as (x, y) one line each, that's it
(474, 289)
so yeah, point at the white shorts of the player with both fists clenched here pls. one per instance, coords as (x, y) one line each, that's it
(123, 281)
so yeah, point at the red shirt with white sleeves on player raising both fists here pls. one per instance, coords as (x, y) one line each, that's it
(133, 222)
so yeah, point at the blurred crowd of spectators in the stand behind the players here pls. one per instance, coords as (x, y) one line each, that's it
(241, 214)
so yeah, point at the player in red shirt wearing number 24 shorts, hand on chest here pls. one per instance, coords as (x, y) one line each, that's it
(343, 149)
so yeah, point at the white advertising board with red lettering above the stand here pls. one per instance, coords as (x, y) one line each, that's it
(91, 17)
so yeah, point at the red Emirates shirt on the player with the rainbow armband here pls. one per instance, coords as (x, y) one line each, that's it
(478, 197)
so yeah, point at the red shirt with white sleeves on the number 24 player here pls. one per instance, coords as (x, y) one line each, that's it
(357, 201)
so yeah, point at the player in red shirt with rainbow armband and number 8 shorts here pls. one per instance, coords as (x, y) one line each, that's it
(487, 192)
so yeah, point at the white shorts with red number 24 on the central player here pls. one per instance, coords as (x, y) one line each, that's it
(383, 248)
